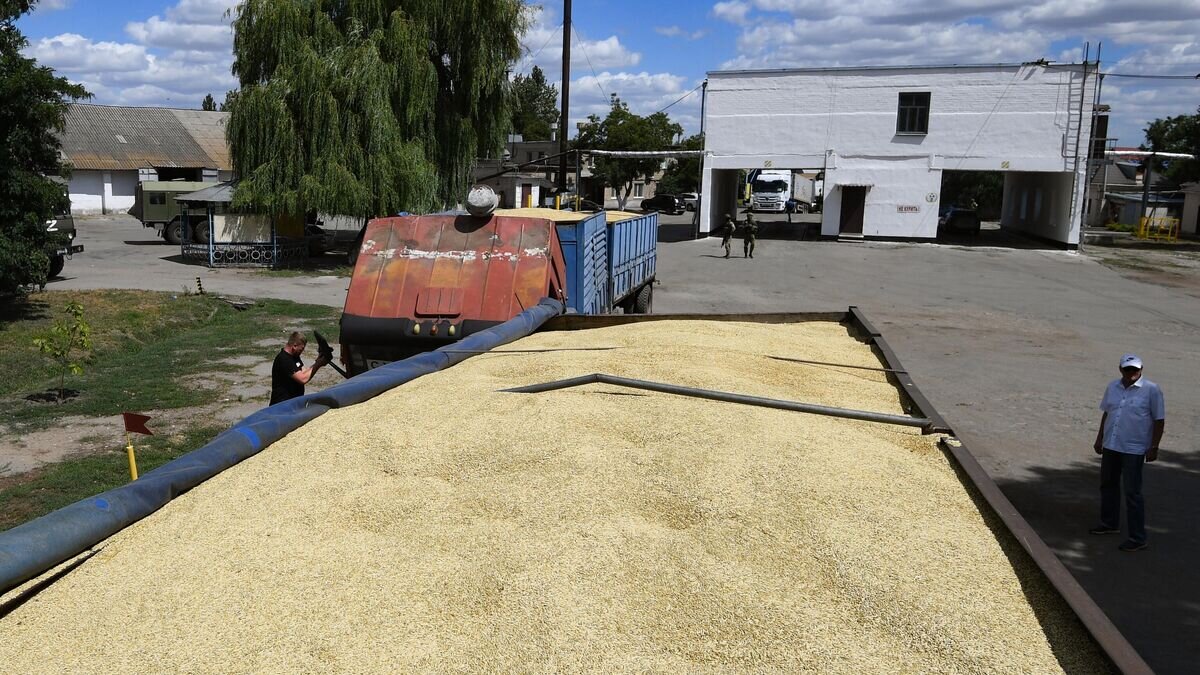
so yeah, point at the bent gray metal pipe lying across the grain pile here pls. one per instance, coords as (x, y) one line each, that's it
(711, 395)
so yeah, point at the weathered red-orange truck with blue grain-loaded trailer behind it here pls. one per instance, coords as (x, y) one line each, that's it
(422, 283)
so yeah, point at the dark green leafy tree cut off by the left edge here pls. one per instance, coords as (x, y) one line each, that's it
(33, 109)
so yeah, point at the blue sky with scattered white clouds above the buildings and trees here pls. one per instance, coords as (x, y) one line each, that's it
(175, 52)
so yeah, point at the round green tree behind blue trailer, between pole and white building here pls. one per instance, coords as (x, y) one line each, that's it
(623, 130)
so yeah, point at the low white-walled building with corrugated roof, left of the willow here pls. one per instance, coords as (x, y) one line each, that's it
(112, 148)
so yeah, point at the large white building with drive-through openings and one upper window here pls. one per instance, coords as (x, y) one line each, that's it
(885, 135)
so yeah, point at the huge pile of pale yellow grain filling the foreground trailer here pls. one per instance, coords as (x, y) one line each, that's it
(446, 527)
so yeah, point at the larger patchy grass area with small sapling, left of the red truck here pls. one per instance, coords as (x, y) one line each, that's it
(148, 345)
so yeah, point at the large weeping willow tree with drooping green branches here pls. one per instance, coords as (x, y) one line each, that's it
(367, 107)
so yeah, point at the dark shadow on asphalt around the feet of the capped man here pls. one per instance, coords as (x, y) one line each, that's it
(1142, 592)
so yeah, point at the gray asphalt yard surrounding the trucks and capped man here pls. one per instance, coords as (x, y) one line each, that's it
(1012, 347)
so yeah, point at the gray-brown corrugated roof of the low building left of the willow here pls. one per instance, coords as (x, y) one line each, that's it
(111, 138)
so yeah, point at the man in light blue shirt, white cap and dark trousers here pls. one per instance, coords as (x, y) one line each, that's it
(1132, 427)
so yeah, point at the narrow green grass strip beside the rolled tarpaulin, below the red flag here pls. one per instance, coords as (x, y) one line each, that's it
(38, 493)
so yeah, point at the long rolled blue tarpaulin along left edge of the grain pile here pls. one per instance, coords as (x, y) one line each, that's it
(35, 547)
